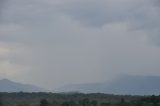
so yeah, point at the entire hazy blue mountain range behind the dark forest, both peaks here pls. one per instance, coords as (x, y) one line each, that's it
(125, 85)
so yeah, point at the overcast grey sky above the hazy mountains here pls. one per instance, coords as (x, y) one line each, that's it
(51, 43)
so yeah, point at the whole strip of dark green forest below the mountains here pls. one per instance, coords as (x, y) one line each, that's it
(76, 99)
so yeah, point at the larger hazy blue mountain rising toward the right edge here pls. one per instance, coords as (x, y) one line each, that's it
(125, 85)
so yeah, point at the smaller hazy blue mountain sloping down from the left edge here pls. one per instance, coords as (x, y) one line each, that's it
(10, 86)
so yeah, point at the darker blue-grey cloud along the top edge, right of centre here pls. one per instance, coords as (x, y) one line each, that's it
(99, 13)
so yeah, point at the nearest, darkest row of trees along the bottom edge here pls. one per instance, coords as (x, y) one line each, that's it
(144, 101)
